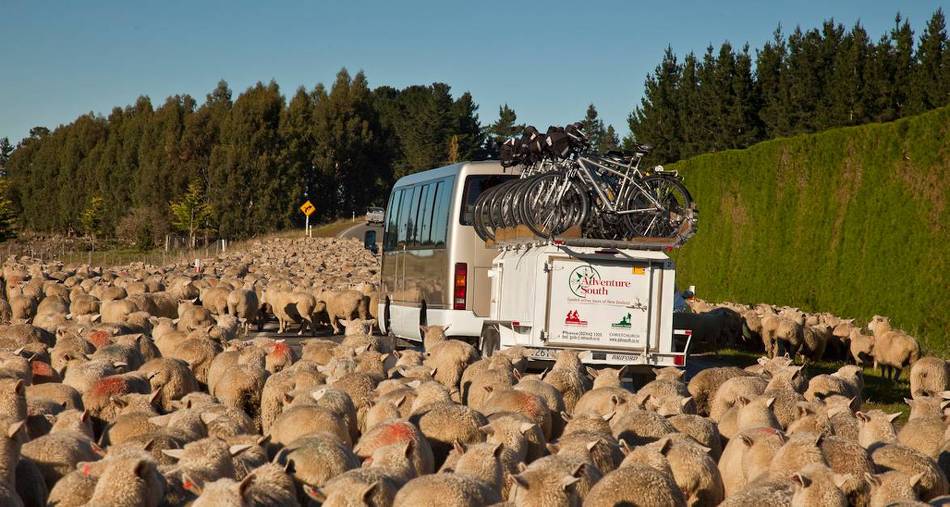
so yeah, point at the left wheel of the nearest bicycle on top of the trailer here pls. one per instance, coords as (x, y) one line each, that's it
(552, 205)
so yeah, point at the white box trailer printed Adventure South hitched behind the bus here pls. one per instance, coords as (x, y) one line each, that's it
(611, 302)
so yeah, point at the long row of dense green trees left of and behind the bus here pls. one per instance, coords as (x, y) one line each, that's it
(237, 166)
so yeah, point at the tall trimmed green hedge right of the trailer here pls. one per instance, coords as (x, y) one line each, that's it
(851, 221)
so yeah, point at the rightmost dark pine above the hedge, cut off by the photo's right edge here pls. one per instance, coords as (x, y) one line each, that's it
(930, 86)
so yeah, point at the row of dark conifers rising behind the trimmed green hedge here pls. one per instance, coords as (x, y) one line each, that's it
(810, 81)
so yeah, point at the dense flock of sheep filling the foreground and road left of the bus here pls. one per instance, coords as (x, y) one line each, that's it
(137, 386)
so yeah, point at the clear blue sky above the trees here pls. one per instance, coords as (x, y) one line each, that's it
(547, 60)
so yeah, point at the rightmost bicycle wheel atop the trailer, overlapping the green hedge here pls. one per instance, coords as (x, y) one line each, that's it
(661, 207)
